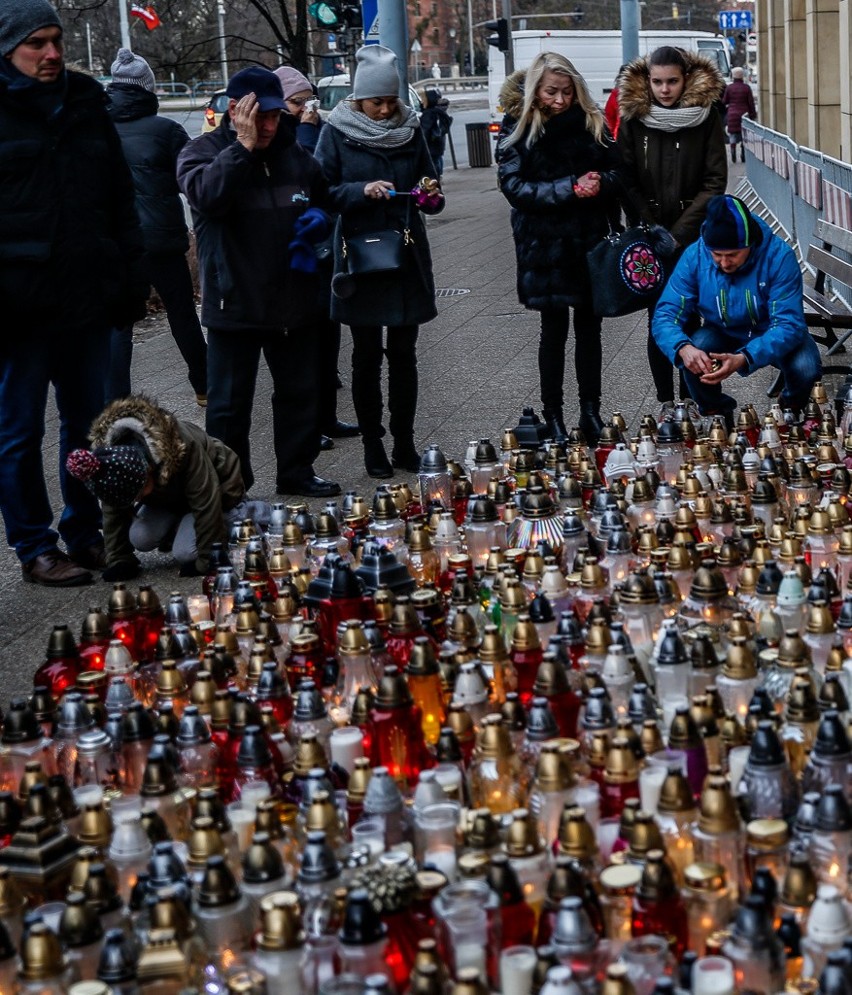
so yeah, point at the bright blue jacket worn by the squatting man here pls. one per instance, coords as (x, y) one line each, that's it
(759, 306)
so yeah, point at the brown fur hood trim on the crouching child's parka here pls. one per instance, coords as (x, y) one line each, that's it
(137, 420)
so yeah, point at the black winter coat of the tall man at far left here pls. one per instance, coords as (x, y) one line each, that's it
(70, 244)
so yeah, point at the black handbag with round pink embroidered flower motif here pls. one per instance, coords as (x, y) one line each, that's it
(630, 271)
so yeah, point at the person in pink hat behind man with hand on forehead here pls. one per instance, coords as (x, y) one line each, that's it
(301, 103)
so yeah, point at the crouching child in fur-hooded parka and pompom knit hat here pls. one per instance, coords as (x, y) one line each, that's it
(162, 483)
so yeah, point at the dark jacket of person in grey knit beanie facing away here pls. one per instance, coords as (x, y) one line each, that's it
(151, 146)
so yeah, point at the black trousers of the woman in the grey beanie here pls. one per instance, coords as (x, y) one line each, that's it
(367, 355)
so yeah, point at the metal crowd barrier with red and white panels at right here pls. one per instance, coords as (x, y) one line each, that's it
(798, 186)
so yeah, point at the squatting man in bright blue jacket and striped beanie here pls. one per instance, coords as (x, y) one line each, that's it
(745, 284)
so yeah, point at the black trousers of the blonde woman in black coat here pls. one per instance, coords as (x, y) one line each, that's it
(587, 355)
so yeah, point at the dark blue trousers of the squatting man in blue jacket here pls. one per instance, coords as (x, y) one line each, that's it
(801, 367)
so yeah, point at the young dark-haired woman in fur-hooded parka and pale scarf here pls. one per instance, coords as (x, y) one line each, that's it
(672, 145)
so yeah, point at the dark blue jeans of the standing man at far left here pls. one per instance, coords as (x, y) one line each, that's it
(75, 363)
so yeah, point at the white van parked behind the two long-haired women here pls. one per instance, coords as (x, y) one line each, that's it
(597, 56)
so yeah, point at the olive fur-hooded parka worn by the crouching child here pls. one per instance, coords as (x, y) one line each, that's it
(193, 473)
